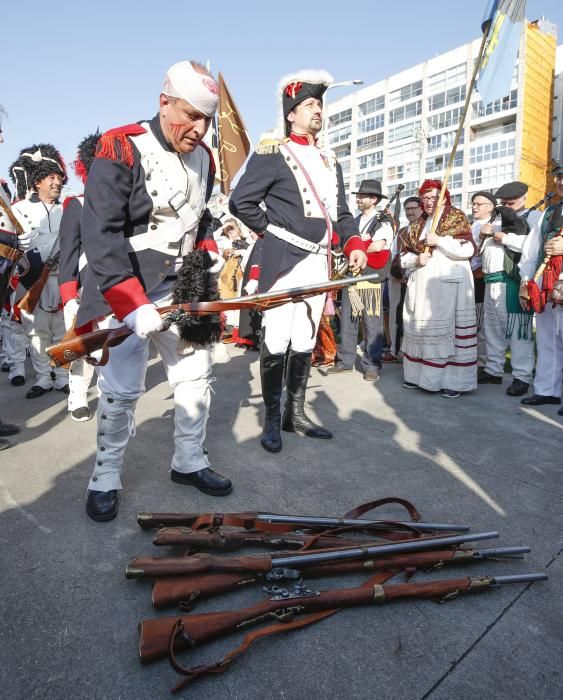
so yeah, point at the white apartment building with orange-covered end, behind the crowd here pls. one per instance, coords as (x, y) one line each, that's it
(400, 130)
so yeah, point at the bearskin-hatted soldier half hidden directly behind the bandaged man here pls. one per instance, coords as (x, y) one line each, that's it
(80, 373)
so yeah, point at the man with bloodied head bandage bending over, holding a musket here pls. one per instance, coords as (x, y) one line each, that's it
(145, 207)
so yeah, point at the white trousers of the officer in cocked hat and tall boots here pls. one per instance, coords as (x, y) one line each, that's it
(293, 323)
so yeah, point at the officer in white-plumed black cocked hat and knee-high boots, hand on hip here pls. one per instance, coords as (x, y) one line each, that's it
(302, 188)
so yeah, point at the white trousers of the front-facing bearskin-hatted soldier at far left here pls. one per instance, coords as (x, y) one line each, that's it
(44, 328)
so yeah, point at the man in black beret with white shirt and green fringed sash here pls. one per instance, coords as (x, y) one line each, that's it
(506, 325)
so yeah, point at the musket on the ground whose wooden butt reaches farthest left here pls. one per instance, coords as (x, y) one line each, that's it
(141, 567)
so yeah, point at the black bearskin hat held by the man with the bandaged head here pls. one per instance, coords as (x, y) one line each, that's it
(196, 283)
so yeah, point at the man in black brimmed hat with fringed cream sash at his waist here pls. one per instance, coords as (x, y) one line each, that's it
(364, 302)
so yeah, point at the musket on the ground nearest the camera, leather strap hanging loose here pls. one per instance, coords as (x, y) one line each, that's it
(164, 636)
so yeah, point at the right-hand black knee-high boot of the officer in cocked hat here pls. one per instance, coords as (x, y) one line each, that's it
(294, 418)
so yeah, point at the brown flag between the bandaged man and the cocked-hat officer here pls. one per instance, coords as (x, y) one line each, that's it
(234, 145)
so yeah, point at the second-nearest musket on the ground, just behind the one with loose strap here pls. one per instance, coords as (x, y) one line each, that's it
(168, 591)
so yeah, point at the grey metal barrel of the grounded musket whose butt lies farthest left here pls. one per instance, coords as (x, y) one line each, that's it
(362, 552)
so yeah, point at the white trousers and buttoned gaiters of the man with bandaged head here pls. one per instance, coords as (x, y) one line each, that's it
(122, 381)
